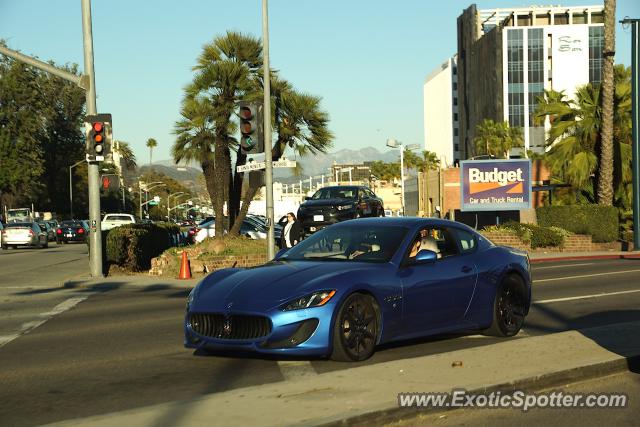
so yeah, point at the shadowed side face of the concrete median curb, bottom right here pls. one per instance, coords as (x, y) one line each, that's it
(532, 384)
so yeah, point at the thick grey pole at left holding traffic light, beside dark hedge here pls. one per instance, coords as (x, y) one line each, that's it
(95, 229)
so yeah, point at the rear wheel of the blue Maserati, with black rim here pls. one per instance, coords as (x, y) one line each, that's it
(509, 308)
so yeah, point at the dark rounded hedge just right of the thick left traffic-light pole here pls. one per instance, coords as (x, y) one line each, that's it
(132, 246)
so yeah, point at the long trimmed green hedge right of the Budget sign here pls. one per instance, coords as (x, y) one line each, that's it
(601, 222)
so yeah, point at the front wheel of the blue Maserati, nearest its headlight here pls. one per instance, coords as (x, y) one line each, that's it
(355, 332)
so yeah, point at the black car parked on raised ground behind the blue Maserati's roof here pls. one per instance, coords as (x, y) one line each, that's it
(330, 205)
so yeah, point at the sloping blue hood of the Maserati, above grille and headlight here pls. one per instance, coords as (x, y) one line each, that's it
(266, 287)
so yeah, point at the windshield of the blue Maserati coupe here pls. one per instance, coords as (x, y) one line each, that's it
(354, 243)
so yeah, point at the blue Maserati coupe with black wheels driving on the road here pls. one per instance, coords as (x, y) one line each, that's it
(360, 283)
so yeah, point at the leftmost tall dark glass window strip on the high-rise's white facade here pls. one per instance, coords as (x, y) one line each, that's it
(515, 77)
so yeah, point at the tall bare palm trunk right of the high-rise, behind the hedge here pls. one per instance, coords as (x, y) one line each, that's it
(605, 173)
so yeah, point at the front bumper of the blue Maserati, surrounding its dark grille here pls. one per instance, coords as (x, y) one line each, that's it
(304, 332)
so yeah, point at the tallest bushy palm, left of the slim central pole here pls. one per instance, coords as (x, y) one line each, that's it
(225, 73)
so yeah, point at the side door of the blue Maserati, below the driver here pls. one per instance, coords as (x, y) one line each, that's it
(436, 294)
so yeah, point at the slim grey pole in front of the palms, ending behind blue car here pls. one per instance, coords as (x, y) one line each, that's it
(268, 172)
